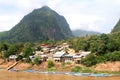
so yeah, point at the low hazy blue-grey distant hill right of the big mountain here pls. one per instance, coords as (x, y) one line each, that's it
(80, 33)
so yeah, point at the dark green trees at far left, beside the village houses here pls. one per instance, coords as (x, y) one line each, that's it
(15, 49)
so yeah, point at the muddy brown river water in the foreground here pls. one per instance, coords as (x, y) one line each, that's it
(6, 75)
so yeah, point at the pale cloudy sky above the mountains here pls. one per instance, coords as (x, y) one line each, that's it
(91, 15)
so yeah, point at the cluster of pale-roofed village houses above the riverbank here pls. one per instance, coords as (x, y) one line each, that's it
(61, 53)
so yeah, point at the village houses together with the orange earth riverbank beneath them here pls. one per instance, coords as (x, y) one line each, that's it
(61, 57)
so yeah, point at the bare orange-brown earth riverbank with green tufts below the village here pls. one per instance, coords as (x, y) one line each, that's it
(108, 67)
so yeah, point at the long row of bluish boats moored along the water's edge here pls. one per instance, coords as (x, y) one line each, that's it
(79, 74)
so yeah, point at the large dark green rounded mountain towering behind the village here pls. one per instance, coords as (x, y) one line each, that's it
(40, 24)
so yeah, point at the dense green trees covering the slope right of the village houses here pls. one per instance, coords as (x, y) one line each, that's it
(104, 47)
